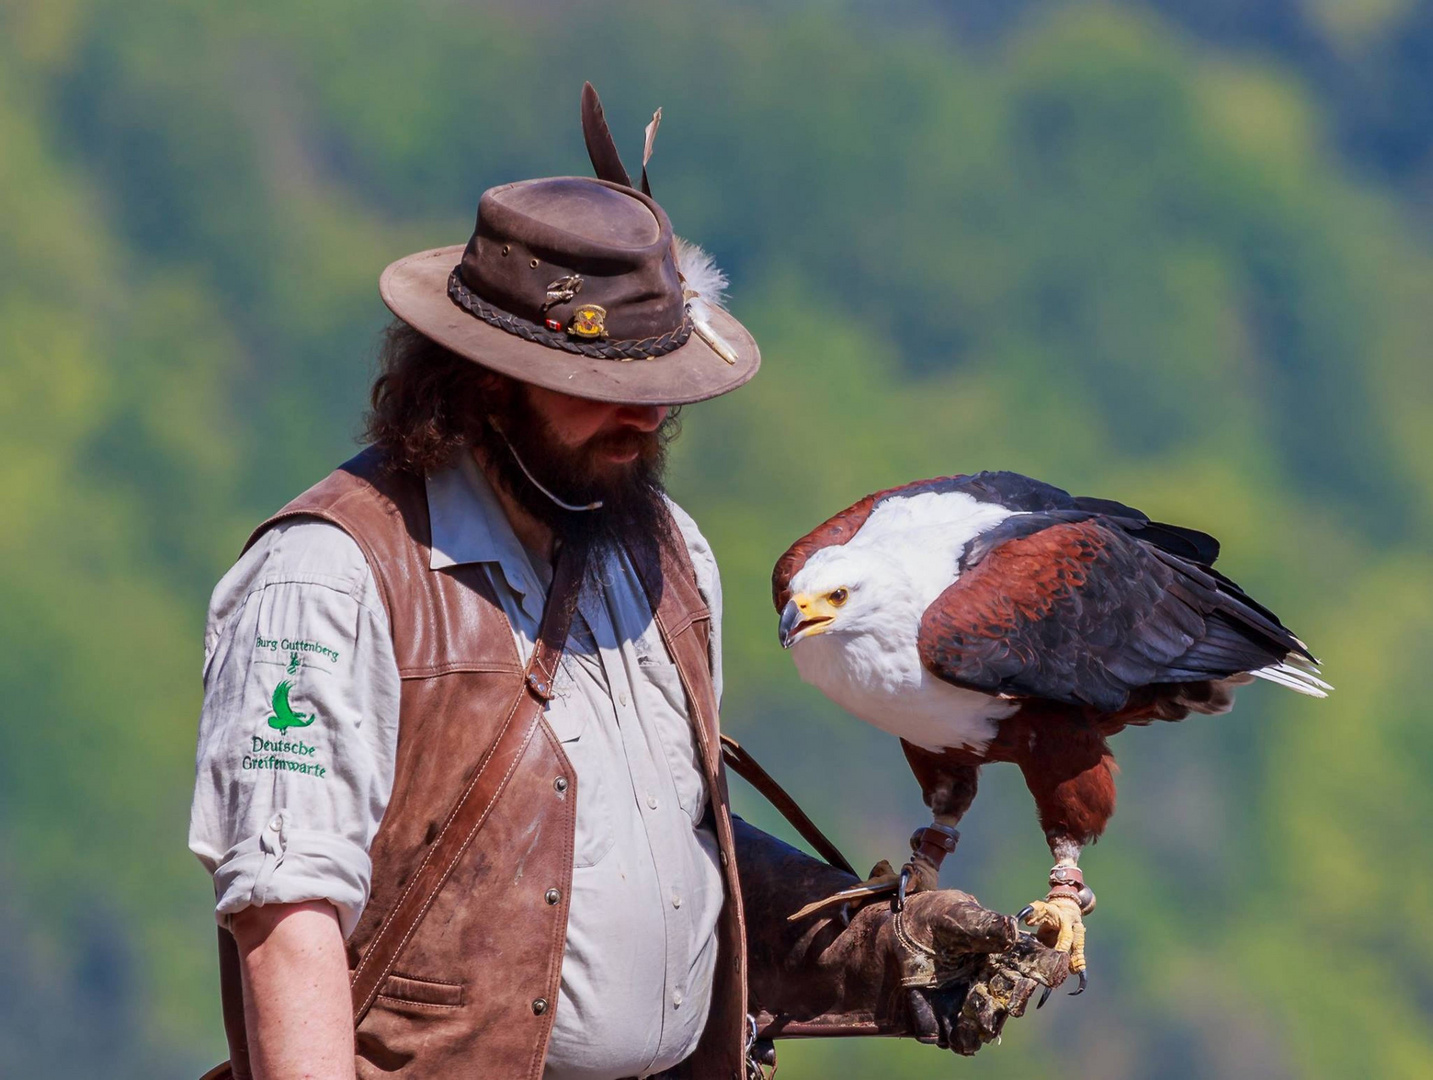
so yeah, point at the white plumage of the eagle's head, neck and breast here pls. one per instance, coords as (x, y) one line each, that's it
(868, 662)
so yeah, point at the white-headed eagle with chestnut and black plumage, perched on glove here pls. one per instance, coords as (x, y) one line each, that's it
(997, 618)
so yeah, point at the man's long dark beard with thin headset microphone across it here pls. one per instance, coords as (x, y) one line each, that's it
(634, 514)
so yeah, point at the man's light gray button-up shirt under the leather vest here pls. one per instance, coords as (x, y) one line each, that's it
(292, 787)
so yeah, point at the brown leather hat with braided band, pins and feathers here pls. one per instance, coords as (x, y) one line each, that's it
(578, 286)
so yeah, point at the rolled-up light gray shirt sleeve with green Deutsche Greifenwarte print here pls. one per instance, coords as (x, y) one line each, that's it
(299, 728)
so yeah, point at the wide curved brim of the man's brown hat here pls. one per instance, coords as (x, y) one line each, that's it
(416, 291)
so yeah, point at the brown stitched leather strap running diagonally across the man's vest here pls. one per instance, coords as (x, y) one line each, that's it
(484, 790)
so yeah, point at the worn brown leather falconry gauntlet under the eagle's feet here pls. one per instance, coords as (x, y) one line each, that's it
(946, 970)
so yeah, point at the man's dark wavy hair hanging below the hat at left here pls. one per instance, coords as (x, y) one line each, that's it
(428, 402)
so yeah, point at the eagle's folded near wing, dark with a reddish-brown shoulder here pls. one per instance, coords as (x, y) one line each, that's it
(1071, 608)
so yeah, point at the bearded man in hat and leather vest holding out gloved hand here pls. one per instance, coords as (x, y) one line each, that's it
(459, 777)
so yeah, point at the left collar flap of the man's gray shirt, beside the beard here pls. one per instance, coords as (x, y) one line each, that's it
(469, 526)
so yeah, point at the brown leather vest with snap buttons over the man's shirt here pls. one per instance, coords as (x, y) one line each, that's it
(474, 992)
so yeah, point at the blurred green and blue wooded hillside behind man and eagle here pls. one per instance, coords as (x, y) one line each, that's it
(1174, 253)
